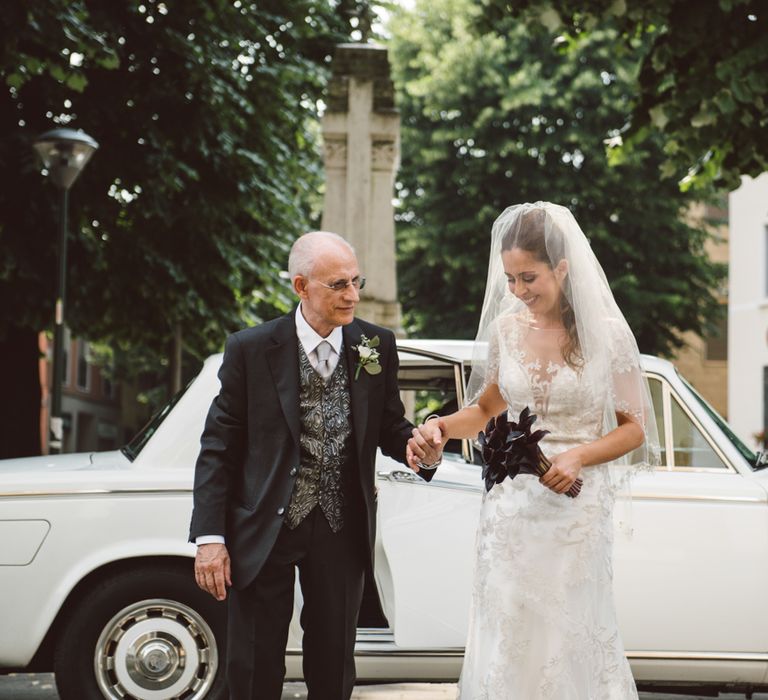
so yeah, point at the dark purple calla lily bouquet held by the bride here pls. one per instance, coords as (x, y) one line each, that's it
(511, 448)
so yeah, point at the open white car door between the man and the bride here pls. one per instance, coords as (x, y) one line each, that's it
(426, 532)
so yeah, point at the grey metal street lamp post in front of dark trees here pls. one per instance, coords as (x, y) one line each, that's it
(64, 153)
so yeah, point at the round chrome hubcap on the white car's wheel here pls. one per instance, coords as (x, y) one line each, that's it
(156, 650)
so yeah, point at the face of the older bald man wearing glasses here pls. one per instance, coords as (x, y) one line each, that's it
(324, 308)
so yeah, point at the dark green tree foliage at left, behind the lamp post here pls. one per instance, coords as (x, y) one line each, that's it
(205, 112)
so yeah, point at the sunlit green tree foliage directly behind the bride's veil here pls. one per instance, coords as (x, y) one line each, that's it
(496, 117)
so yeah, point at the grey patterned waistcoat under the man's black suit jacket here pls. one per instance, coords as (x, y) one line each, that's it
(326, 431)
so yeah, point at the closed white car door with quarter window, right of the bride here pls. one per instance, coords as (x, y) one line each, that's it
(691, 554)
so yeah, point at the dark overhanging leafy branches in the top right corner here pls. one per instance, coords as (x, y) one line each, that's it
(703, 82)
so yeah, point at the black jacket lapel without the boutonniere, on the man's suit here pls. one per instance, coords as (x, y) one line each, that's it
(283, 360)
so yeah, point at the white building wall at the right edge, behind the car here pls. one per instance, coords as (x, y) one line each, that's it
(748, 306)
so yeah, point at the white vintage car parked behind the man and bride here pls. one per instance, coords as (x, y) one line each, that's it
(96, 572)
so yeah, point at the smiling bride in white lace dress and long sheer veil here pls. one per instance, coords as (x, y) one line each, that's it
(551, 337)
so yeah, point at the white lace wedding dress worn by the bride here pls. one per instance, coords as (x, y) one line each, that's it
(542, 623)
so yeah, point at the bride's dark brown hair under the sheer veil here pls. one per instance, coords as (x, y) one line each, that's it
(529, 233)
